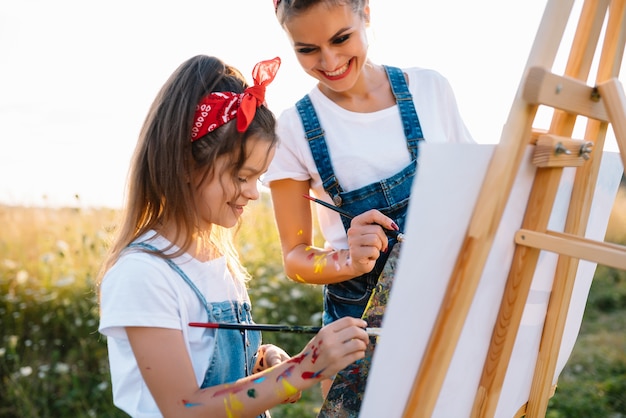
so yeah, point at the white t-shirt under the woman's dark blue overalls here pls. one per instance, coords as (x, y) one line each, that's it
(364, 147)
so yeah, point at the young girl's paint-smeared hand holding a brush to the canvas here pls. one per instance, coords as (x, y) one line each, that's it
(336, 346)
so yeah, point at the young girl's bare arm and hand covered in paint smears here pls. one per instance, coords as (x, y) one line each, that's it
(168, 373)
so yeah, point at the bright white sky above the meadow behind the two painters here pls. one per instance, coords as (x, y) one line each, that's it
(77, 76)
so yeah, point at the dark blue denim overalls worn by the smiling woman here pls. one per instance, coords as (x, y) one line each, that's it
(390, 196)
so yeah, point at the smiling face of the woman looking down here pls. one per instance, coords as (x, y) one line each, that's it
(330, 43)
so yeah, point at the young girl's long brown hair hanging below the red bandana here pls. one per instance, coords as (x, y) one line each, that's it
(160, 189)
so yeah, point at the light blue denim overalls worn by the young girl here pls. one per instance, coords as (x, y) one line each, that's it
(234, 351)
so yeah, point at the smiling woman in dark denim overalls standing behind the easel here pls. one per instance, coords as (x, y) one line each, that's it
(352, 141)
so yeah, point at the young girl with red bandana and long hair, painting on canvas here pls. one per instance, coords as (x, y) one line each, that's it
(207, 139)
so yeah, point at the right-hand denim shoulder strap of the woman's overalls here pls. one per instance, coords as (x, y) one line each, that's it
(404, 99)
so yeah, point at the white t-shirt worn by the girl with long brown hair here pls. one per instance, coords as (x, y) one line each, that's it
(143, 290)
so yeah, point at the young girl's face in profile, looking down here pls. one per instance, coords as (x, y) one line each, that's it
(219, 200)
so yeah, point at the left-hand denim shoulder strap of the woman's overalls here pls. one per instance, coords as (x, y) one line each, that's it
(315, 135)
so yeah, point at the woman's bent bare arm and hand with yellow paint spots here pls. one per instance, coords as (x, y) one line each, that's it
(306, 263)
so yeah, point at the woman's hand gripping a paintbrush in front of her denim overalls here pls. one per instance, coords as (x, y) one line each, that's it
(366, 239)
